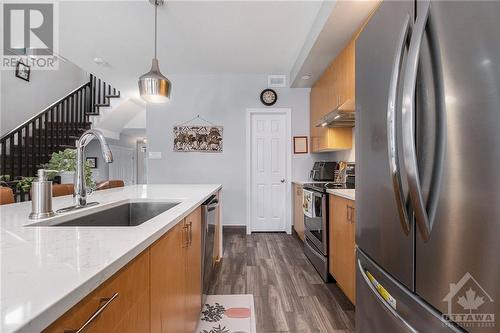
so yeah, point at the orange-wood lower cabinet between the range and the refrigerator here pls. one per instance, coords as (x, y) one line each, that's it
(342, 257)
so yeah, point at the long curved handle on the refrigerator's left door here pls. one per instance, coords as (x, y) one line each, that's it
(394, 163)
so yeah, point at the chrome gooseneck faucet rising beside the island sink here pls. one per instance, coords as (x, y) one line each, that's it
(80, 194)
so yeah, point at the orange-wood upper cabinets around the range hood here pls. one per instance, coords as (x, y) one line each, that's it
(333, 88)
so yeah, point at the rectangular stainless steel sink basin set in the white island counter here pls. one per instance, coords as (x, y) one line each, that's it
(128, 214)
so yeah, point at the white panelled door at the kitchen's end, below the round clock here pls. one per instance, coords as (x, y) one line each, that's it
(268, 171)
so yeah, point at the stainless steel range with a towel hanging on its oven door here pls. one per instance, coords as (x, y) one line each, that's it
(316, 224)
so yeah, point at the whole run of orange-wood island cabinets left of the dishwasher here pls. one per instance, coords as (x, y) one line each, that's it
(158, 291)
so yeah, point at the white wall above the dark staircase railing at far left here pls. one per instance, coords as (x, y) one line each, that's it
(22, 100)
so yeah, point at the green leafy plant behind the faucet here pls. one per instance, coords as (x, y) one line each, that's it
(65, 162)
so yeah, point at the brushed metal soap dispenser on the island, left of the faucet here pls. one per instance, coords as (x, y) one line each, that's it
(41, 196)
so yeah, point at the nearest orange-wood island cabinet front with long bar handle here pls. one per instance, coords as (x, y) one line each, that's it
(127, 312)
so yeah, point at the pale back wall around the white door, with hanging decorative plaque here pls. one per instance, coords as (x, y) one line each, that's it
(222, 100)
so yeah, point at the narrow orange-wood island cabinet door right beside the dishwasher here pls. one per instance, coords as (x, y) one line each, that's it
(193, 269)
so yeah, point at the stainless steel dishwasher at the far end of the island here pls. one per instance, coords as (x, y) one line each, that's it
(208, 220)
